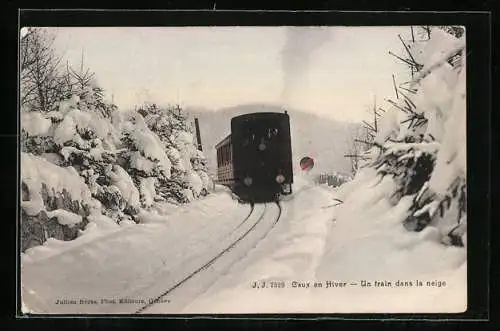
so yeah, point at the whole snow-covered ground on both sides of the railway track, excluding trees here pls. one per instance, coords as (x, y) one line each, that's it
(338, 246)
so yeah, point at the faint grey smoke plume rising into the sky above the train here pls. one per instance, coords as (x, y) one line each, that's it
(300, 43)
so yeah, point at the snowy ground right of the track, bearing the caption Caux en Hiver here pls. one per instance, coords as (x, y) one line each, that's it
(341, 246)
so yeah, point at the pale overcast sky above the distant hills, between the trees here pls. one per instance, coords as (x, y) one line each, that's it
(331, 71)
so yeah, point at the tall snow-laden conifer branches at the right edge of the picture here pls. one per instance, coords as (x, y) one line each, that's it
(421, 139)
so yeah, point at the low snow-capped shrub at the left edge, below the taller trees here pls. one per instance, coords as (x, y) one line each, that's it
(55, 201)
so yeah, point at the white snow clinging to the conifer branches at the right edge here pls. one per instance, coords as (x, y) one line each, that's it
(441, 98)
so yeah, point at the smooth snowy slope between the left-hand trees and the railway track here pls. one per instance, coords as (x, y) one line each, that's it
(134, 262)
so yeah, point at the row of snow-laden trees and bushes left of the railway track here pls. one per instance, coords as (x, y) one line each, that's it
(124, 161)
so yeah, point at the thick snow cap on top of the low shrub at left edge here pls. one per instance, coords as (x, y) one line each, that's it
(36, 171)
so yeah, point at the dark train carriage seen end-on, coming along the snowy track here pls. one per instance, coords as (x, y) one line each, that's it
(255, 159)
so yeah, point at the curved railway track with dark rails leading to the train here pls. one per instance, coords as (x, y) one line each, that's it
(224, 254)
